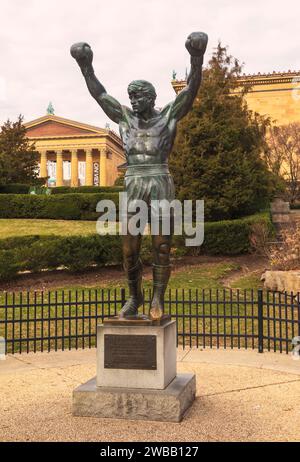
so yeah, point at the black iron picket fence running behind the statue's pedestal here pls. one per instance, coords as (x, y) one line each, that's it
(221, 318)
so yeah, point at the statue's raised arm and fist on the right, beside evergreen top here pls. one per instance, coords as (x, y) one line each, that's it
(196, 45)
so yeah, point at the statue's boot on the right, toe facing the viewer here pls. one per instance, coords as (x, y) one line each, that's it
(161, 275)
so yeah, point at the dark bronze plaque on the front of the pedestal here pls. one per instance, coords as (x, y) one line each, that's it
(130, 352)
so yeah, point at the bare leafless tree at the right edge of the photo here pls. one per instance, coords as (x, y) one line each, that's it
(283, 156)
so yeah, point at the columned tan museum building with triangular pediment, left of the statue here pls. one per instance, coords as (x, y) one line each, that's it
(74, 153)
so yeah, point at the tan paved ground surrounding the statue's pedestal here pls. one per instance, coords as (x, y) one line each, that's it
(241, 396)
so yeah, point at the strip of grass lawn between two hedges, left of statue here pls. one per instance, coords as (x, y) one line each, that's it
(23, 227)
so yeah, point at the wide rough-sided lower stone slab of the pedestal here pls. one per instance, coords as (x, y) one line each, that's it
(167, 405)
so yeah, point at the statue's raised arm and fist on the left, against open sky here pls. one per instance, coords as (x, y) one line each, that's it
(83, 54)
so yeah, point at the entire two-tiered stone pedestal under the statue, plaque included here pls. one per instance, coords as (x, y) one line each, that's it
(136, 374)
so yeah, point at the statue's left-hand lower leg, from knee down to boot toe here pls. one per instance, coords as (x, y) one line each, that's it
(133, 269)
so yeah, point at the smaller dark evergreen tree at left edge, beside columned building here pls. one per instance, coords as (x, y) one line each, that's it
(18, 157)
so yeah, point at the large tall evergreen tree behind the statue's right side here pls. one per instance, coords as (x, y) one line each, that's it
(217, 152)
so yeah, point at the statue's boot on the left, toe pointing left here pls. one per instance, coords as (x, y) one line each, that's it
(134, 276)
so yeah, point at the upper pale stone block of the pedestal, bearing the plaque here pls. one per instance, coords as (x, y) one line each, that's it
(136, 356)
